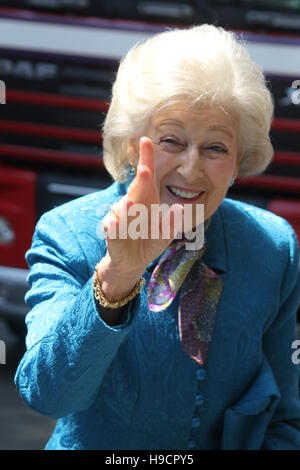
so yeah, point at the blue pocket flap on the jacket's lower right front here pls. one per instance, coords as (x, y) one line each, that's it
(246, 423)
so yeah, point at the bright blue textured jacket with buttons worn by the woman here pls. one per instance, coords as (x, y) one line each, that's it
(133, 386)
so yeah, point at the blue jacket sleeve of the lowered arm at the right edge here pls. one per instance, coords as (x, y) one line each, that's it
(278, 343)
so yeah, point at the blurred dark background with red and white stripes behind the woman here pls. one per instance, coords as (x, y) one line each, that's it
(58, 60)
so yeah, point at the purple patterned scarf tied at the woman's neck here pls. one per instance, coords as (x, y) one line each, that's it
(199, 296)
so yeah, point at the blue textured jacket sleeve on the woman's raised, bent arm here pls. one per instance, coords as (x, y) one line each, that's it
(69, 346)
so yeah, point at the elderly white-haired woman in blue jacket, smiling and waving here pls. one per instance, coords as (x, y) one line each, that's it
(138, 342)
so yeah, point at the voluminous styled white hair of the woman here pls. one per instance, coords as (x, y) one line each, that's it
(202, 64)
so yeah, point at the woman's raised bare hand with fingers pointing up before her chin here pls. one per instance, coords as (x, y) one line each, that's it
(128, 258)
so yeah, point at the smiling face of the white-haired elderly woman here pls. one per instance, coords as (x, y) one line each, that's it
(196, 155)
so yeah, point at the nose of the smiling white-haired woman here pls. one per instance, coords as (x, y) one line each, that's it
(192, 166)
